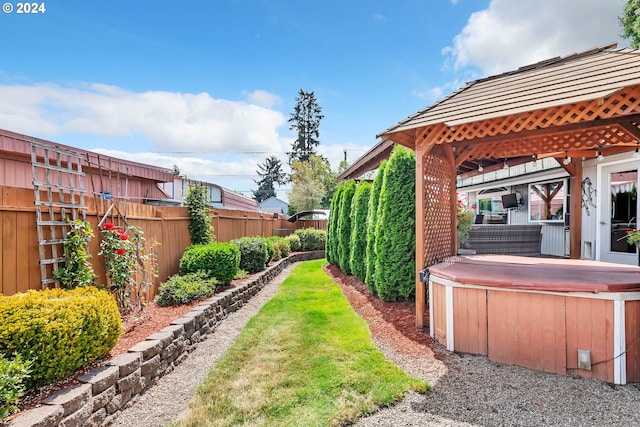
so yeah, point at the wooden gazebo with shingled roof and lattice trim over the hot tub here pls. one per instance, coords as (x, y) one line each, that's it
(570, 108)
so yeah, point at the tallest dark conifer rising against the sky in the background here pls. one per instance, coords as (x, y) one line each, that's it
(305, 120)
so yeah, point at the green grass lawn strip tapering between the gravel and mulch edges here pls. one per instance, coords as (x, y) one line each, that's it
(306, 359)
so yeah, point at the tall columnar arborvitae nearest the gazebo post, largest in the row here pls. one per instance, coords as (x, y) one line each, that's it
(395, 228)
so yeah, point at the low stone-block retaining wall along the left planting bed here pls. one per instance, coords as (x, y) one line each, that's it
(108, 389)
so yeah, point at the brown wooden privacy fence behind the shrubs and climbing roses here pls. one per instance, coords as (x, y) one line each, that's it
(166, 225)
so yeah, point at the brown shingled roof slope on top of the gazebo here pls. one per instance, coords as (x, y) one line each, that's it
(594, 74)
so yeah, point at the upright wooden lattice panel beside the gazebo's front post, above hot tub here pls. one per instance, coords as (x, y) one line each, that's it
(439, 226)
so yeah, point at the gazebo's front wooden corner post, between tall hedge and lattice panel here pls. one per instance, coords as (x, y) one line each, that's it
(420, 236)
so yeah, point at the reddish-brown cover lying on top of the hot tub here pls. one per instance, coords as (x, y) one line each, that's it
(543, 274)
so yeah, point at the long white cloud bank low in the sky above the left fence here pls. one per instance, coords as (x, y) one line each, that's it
(169, 120)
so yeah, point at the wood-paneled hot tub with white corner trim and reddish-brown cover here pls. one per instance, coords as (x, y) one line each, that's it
(539, 312)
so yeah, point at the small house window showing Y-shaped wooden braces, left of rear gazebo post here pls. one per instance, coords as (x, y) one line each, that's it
(547, 201)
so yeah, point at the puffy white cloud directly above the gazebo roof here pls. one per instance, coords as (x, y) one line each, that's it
(511, 33)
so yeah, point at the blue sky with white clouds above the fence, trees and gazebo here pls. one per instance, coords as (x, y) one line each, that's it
(209, 85)
